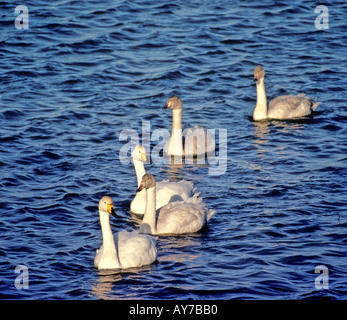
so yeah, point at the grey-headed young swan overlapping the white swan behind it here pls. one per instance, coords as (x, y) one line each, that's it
(175, 218)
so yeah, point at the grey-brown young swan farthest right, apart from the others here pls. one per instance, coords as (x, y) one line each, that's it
(283, 107)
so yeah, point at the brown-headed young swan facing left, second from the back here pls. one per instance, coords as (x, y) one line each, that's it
(197, 141)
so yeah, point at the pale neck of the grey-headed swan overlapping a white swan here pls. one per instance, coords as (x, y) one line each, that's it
(149, 221)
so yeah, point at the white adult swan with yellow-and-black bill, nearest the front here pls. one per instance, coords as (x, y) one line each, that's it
(131, 249)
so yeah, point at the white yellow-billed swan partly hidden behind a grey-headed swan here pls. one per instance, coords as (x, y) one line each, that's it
(166, 191)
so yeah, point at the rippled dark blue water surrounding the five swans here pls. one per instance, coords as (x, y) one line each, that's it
(84, 71)
